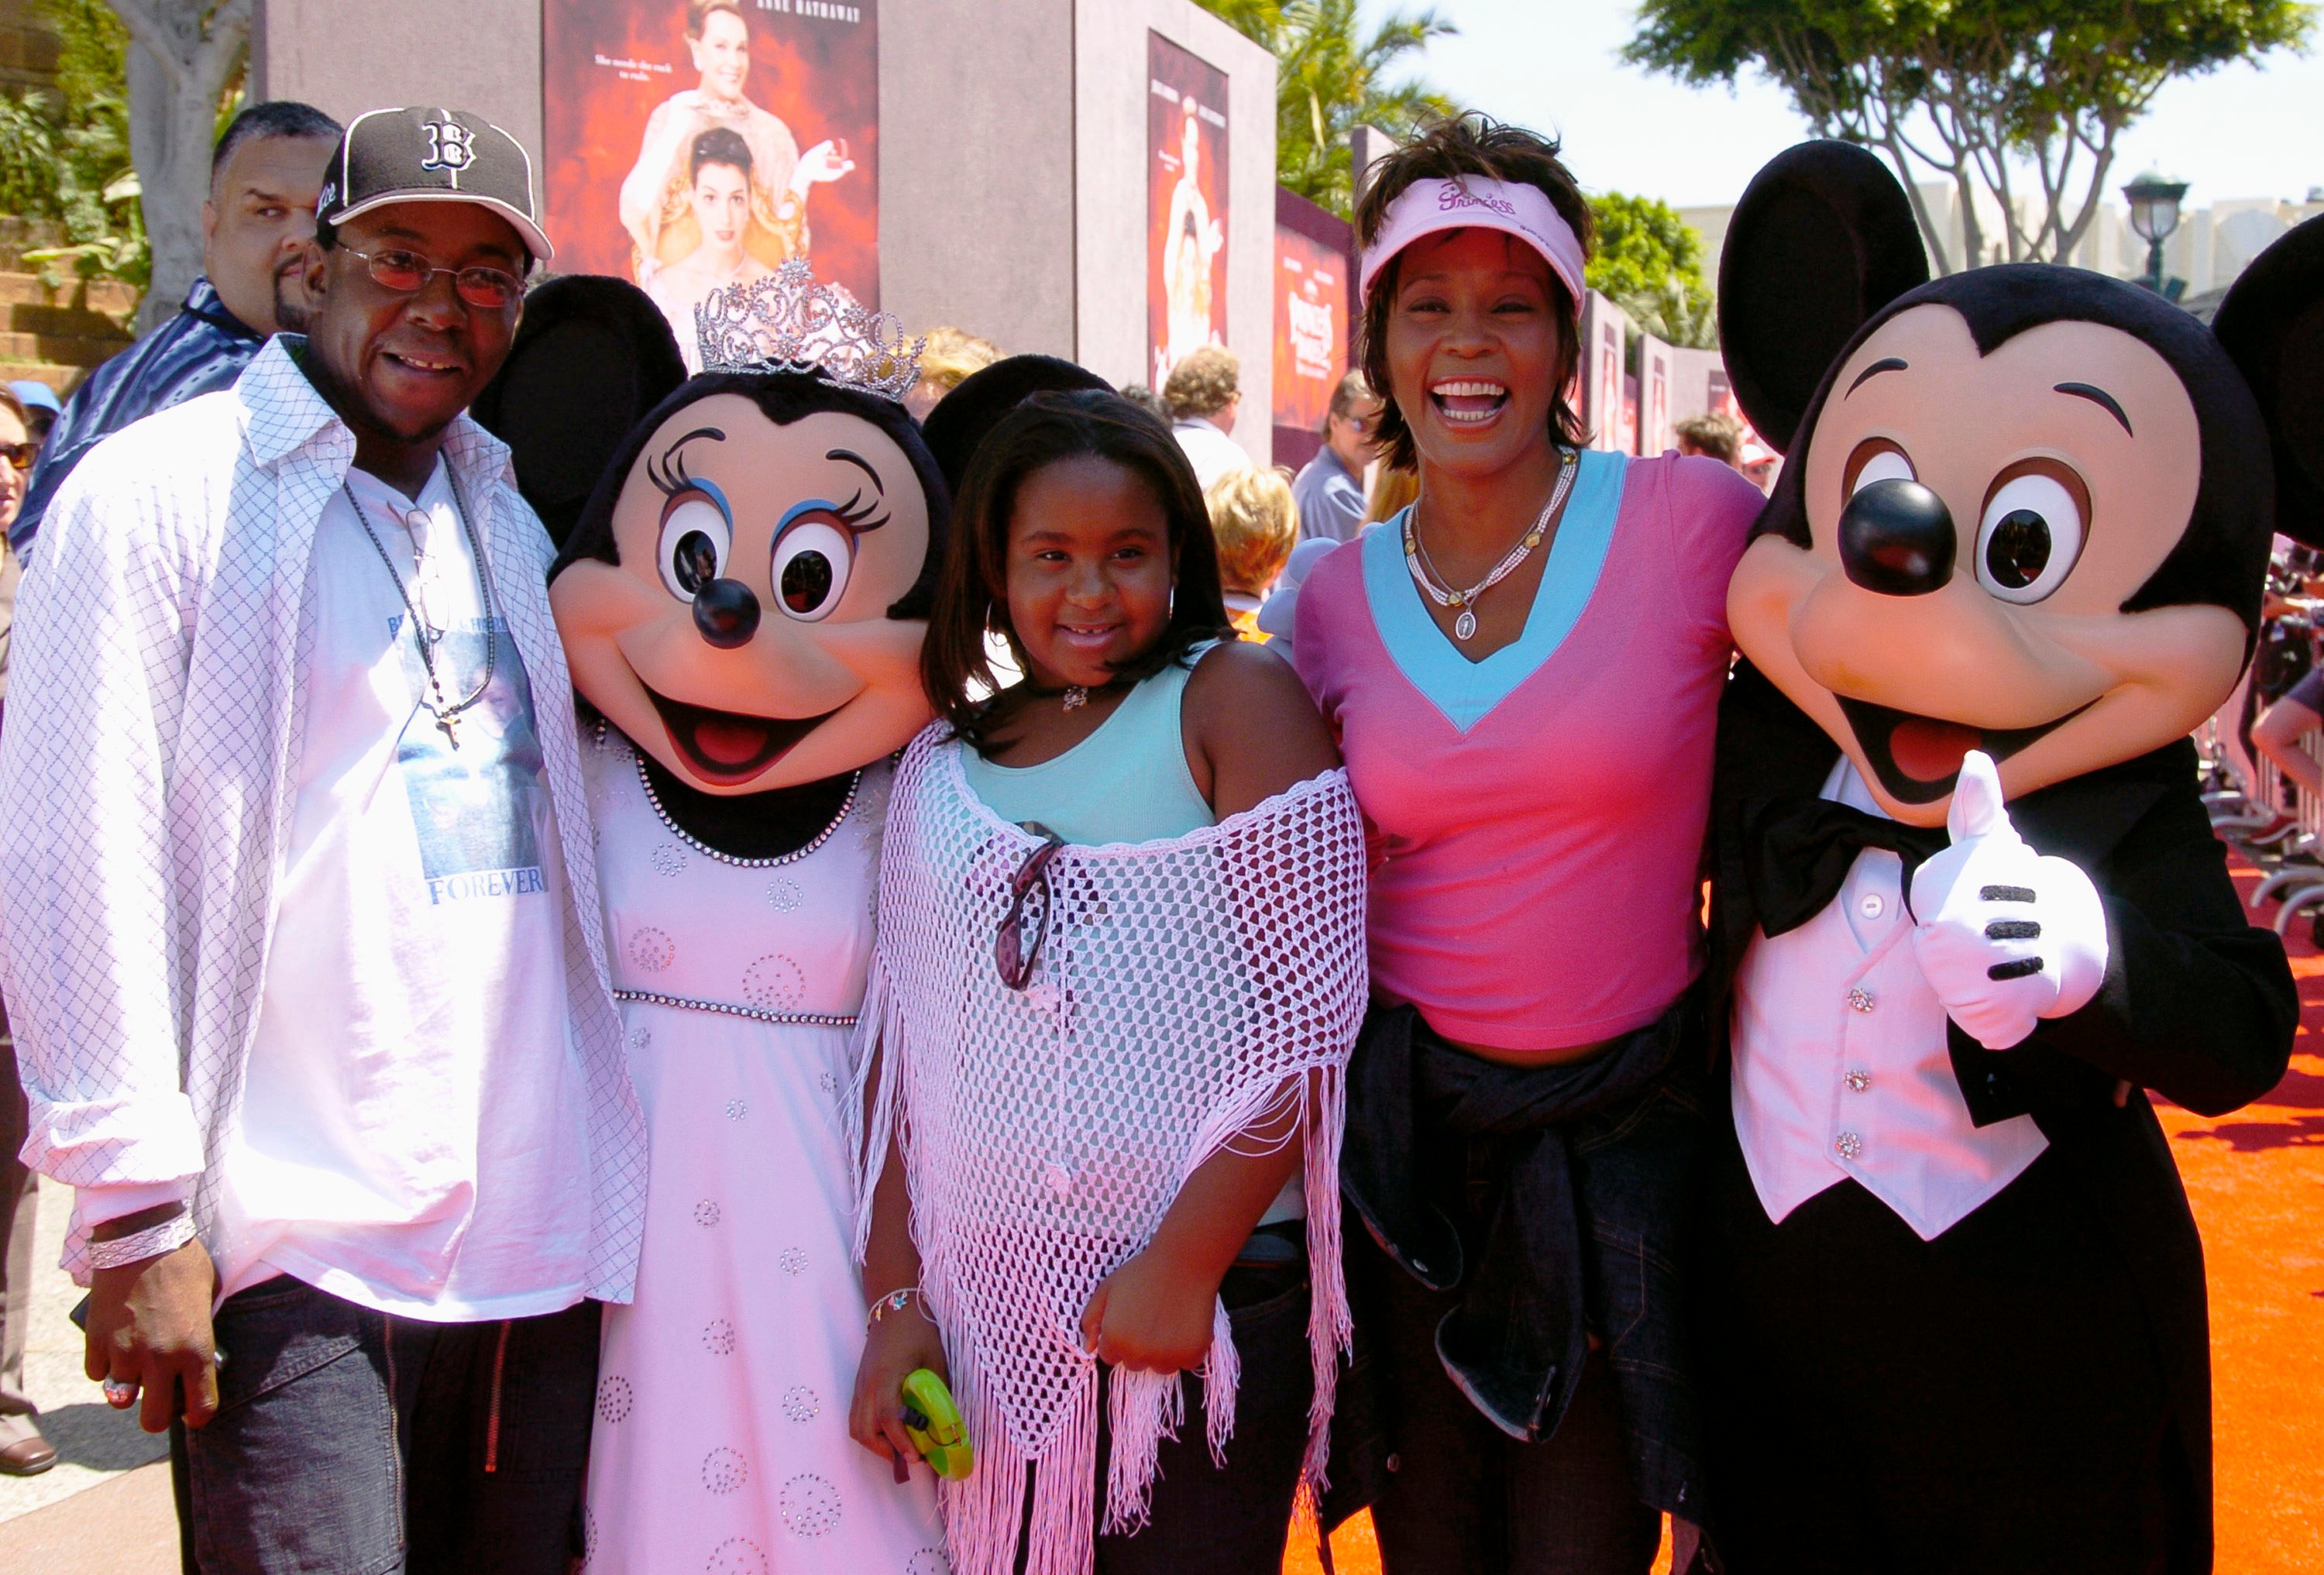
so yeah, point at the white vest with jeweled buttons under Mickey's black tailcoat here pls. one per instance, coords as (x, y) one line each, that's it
(1842, 1067)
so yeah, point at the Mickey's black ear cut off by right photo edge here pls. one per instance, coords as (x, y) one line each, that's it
(2272, 324)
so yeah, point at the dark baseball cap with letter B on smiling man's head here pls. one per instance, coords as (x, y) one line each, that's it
(431, 157)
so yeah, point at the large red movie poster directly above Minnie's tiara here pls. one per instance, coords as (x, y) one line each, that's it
(705, 143)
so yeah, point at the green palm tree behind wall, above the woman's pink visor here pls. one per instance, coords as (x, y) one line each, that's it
(1333, 78)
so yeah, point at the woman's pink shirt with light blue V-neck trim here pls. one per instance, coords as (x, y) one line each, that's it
(1540, 817)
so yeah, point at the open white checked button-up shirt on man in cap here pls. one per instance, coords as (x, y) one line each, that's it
(148, 761)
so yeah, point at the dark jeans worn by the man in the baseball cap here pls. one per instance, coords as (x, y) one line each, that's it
(357, 1444)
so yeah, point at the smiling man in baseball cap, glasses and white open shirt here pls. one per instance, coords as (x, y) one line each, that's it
(308, 975)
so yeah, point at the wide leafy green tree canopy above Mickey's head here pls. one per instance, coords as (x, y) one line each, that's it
(2018, 99)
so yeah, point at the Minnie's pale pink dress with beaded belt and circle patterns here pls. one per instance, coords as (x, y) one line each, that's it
(722, 1437)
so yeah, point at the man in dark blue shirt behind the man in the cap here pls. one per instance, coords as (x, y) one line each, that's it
(257, 220)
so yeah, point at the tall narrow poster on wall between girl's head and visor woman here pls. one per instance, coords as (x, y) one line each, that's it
(1186, 182)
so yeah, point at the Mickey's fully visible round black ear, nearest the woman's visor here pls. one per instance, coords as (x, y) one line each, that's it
(1821, 243)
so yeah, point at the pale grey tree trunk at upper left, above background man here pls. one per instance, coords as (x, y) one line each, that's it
(187, 57)
